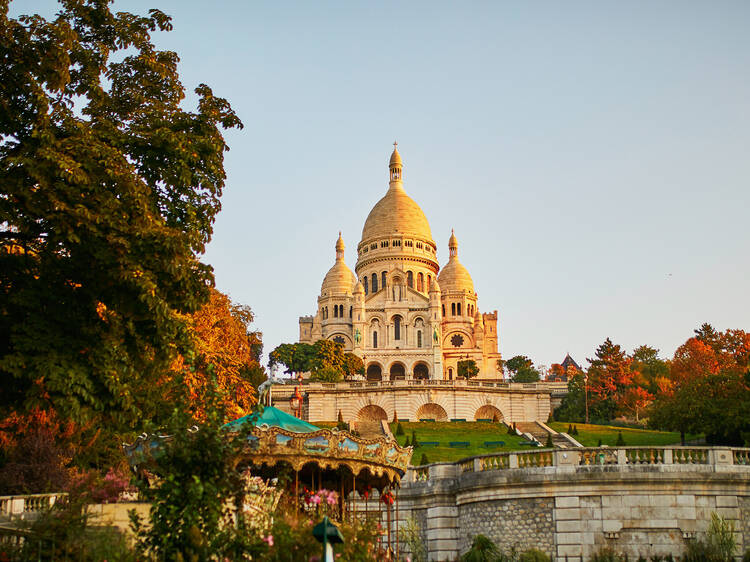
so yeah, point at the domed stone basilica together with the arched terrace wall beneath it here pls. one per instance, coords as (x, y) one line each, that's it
(411, 322)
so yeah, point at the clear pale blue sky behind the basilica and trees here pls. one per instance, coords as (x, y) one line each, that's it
(592, 157)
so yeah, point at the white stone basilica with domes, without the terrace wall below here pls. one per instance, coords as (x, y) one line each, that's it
(402, 314)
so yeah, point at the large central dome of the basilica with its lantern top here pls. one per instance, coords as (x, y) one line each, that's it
(396, 213)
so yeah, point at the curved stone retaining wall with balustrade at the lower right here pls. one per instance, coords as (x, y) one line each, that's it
(571, 503)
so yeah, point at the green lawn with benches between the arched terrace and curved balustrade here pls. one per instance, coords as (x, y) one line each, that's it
(476, 433)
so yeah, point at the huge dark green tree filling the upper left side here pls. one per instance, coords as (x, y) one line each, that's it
(109, 192)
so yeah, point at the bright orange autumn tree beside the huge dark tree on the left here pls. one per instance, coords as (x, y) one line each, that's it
(226, 349)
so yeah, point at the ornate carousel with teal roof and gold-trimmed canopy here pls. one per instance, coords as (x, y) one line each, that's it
(357, 477)
